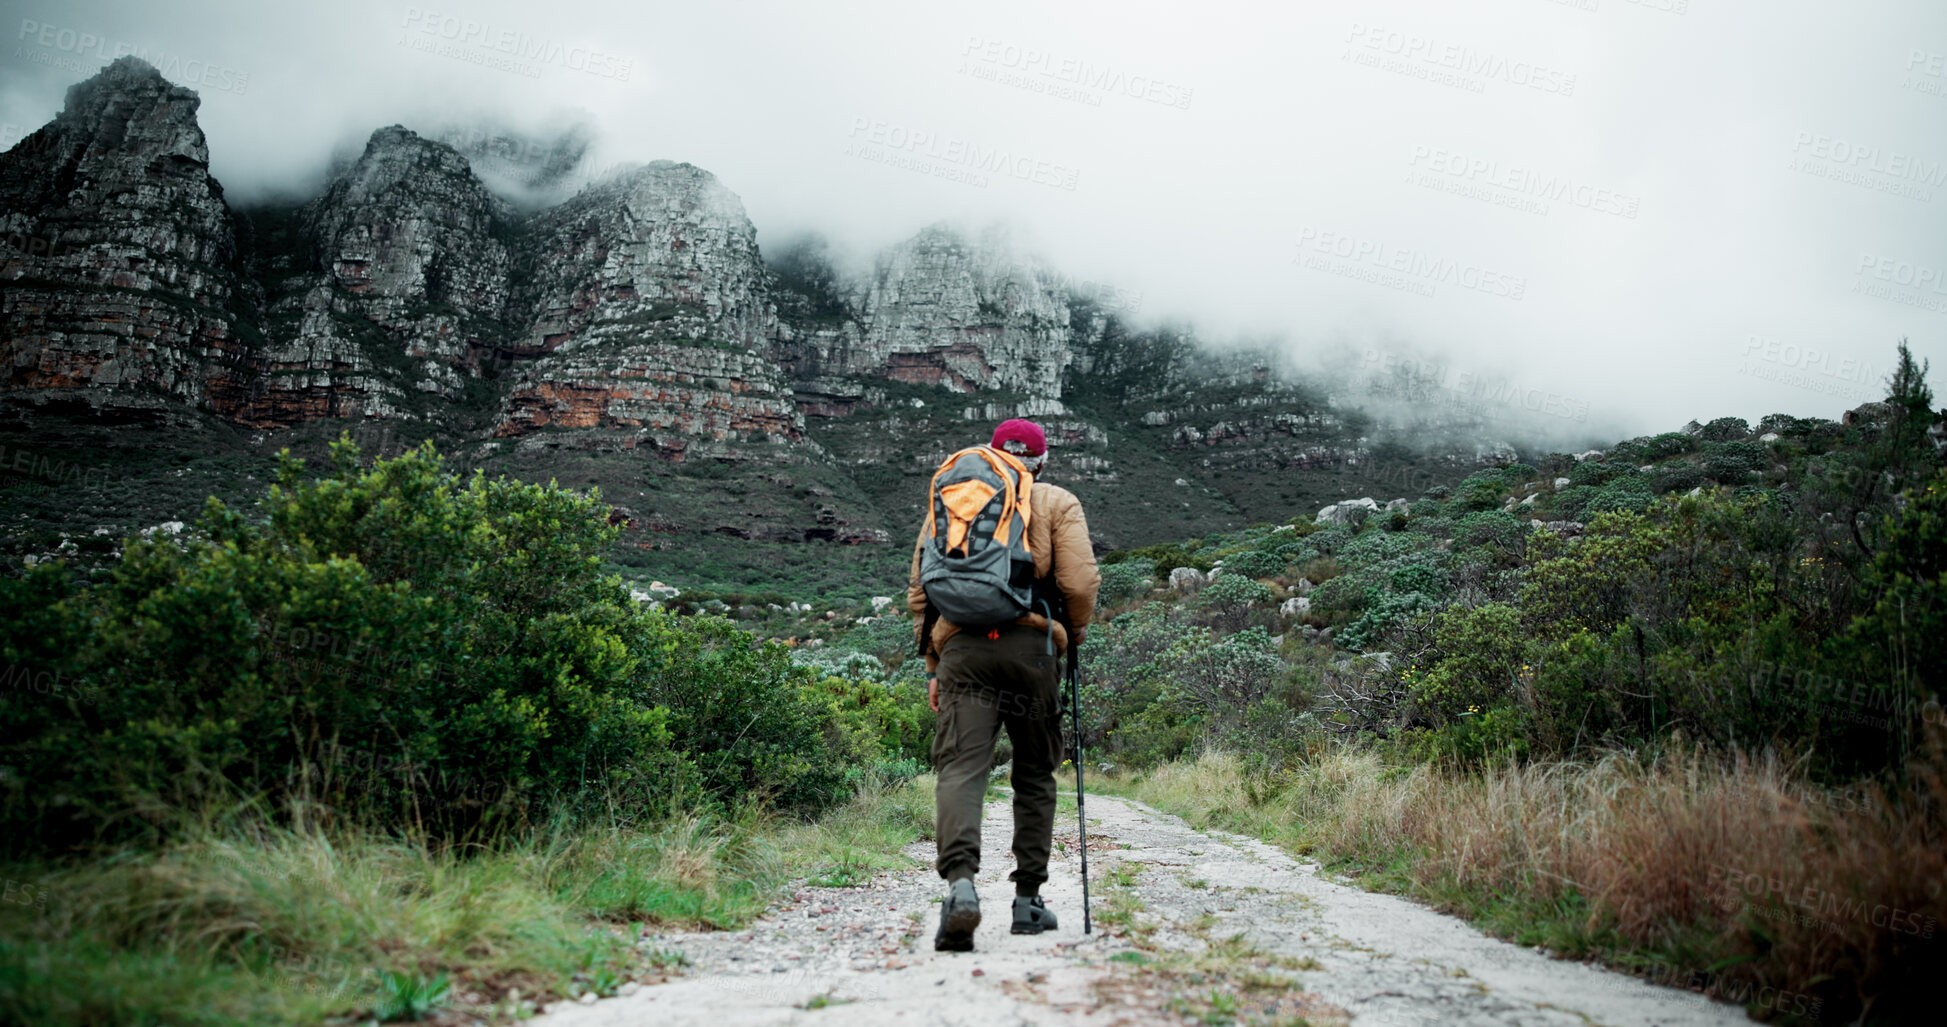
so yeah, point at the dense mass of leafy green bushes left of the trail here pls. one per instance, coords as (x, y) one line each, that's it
(394, 646)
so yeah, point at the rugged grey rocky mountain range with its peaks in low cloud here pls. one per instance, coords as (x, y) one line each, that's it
(632, 336)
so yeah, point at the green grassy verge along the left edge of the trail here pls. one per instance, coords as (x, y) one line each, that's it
(277, 927)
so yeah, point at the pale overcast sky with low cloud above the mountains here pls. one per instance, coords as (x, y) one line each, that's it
(1664, 209)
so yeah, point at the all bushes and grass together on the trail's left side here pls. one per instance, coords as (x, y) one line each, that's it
(394, 742)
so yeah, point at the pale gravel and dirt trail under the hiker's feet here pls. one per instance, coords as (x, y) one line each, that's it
(1193, 927)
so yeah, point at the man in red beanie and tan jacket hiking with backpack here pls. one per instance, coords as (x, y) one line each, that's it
(996, 609)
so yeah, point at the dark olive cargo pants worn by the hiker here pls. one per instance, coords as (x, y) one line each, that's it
(992, 683)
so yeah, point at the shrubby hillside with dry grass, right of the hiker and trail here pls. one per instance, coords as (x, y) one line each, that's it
(1677, 704)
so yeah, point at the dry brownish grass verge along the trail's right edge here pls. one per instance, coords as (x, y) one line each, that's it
(1722, 876)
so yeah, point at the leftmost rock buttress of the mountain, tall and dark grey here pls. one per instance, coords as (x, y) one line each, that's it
(118, 252)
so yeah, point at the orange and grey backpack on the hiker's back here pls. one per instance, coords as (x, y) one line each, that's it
(974, 562)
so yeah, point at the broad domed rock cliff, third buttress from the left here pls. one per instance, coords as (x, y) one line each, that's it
(649, 309)
